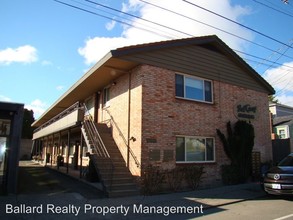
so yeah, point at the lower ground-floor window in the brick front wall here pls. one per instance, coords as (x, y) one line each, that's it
(195, 149)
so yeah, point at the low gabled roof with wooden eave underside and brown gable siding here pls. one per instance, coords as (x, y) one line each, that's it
(163, 54)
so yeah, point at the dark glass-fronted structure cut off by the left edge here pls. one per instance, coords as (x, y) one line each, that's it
(11, 117)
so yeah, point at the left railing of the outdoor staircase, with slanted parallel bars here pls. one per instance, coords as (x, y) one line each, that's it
(101, 149)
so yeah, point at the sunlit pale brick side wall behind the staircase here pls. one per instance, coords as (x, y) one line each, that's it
(125, 108)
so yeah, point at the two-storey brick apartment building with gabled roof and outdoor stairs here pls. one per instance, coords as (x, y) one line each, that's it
(163, 102)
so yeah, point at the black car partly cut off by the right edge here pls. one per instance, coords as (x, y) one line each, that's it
(279, 179)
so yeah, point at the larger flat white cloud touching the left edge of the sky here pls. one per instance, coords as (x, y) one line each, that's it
(23, 54)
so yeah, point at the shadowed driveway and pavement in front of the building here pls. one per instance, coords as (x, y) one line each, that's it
(58, 196)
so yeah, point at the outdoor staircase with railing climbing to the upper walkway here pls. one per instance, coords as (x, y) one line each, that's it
(115, 177)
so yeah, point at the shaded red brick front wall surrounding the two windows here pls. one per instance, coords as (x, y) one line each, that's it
(165, 116)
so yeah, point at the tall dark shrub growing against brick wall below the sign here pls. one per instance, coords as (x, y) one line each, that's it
(238, 147)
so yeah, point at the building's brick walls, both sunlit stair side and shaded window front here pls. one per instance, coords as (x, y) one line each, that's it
(156, 117)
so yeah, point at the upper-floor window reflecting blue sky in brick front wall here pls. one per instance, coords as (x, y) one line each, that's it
(193, 88)
